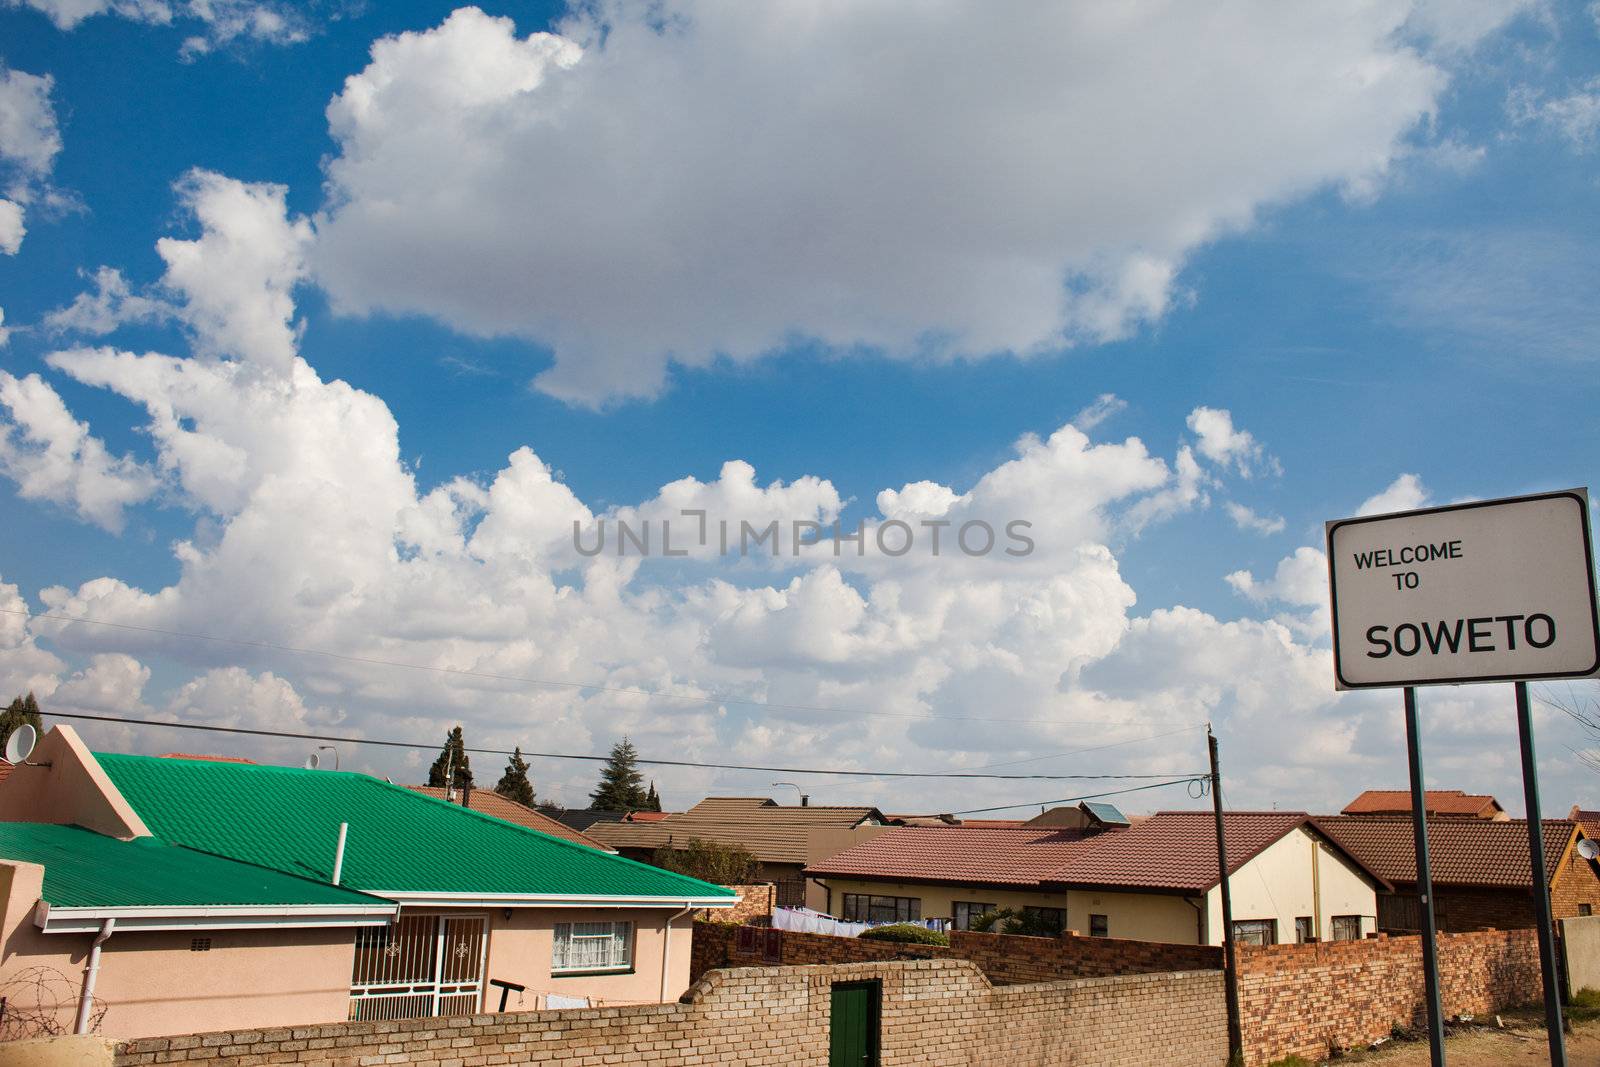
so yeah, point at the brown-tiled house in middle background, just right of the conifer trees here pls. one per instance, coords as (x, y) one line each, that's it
(782, 837)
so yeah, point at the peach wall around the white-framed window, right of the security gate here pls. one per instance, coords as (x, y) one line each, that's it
(522, 949)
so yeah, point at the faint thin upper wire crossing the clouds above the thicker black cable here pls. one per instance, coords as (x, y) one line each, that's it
(551, 684)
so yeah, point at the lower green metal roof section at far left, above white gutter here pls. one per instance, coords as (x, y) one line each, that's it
(89, 869)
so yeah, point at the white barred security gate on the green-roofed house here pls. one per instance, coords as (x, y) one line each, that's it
(423, 965)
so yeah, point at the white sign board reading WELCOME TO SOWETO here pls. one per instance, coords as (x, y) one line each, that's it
(1497, 591)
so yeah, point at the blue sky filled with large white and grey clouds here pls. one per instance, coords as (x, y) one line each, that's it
(337, 335)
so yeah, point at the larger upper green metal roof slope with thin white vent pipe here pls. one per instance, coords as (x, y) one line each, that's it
(399, 841)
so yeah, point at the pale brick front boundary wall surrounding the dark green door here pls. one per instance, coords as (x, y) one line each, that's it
(940, 1013)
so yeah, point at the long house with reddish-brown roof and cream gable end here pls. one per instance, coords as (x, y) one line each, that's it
(1154, 881)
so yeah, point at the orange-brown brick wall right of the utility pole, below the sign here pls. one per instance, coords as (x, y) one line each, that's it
(1313, 999)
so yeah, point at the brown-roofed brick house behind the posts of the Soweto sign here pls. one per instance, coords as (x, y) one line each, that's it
(1482, 876)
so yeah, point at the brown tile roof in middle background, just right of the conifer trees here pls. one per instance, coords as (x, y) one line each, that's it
(772, 833)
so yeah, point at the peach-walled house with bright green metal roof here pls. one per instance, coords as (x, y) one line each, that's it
(462, 909)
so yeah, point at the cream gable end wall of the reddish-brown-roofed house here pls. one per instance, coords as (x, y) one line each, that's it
(1279, 885)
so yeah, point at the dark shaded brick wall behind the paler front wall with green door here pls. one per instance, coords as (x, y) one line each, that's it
(1006, 959)
